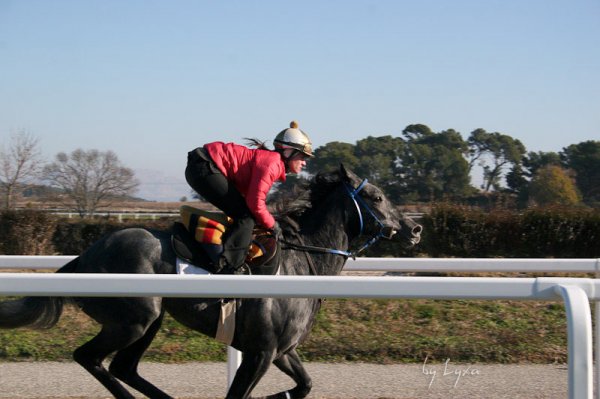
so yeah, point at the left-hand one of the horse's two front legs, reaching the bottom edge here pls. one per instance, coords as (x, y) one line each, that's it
(253, 368)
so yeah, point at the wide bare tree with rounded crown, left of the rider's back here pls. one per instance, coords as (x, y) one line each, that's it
(90, 179)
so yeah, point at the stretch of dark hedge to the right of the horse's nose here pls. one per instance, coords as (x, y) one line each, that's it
(455, 231)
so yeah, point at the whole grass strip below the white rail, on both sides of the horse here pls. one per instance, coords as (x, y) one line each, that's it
(352, 330)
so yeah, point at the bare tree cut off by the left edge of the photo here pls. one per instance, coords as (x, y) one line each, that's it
(20, 164)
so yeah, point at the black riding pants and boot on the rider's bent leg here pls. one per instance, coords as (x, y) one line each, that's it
(206, 179)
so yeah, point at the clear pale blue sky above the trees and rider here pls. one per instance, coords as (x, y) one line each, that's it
(152, 80)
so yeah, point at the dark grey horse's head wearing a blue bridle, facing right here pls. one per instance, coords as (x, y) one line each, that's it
(372, 213)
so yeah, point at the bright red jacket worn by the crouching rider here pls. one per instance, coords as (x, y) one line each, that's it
(252, 171)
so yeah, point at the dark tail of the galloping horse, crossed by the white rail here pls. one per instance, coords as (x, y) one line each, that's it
(34, 312)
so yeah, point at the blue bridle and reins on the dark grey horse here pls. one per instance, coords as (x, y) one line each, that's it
(361, 206)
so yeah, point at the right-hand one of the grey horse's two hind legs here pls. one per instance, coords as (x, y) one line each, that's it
(125, 363)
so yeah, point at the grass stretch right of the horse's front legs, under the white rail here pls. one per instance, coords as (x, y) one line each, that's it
(410, 330)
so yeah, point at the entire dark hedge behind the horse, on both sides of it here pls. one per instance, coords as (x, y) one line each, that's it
(449, 231)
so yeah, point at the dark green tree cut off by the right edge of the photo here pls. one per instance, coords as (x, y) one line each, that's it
(584, 159)
